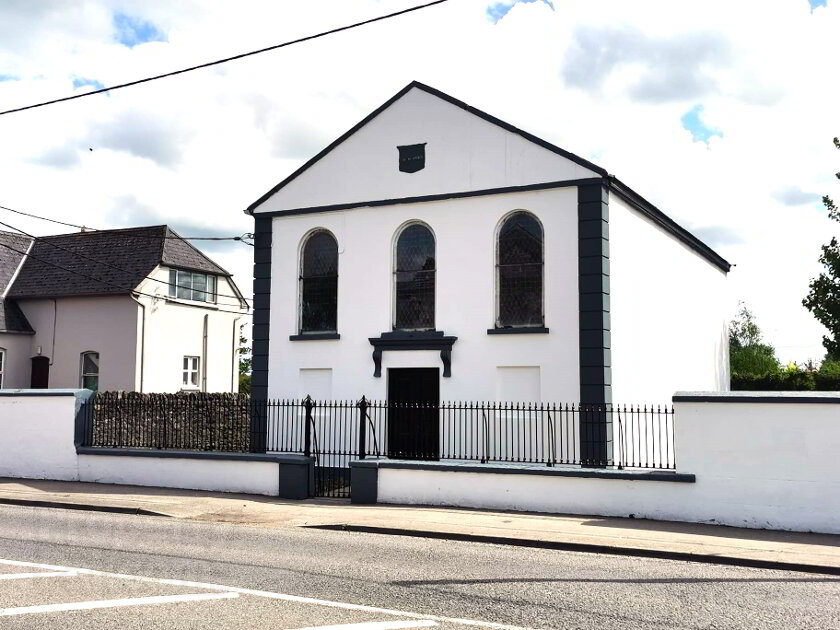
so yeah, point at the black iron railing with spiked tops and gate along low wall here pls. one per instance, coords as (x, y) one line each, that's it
(334, 432)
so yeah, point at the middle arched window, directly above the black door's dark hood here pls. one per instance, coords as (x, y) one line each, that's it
(414, 279)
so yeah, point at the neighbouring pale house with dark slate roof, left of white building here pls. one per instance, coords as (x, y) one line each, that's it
(136, 309)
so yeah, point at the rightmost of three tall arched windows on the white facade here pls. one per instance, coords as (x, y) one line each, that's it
(519, 272)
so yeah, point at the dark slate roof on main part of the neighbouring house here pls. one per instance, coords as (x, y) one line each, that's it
(103, 262)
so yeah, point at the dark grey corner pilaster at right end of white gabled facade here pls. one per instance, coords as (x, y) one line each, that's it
(594, 322)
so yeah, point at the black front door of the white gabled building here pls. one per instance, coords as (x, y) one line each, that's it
(413, 419)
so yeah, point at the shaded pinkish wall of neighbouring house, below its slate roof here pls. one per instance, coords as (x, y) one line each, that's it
(67, 327)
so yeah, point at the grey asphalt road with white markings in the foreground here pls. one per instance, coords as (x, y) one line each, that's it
(67, 569)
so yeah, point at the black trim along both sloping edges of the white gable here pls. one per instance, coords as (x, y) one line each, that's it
(449, 99)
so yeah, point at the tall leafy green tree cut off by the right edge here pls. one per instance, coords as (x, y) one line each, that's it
(823, 299)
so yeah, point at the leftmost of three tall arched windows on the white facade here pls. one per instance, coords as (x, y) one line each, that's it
(319, 283)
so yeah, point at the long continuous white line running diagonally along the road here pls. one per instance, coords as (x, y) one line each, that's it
(270, 595)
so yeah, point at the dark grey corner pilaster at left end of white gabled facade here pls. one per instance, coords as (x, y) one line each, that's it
(259, 329)
